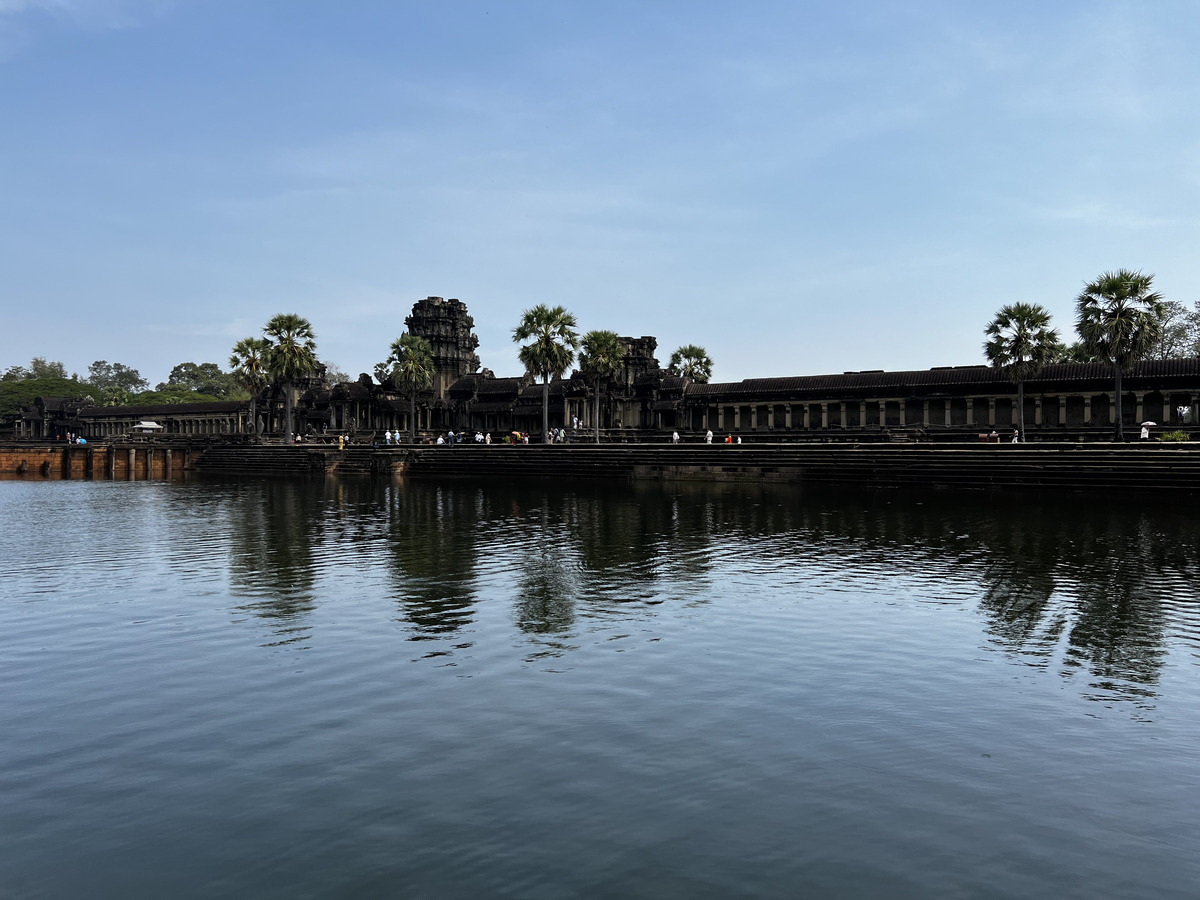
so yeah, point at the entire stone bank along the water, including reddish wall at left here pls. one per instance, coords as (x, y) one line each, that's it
(1145, 466)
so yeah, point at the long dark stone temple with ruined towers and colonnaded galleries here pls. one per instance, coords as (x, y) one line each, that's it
(644, 403)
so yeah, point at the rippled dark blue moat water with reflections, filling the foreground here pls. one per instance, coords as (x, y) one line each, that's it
(545, 691)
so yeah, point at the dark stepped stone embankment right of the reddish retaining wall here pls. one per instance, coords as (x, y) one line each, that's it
(1072, 467)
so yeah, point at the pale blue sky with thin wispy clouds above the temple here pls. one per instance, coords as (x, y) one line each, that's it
(799, 188)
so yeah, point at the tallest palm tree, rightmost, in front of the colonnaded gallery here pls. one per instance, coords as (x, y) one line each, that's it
(1120, 319)
